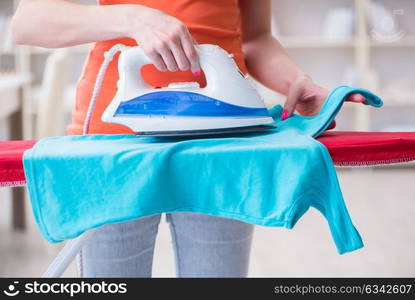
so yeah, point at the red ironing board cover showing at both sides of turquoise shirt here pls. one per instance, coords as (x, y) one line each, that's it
(347, 148)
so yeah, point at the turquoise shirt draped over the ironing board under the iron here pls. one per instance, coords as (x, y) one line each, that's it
(269, 178)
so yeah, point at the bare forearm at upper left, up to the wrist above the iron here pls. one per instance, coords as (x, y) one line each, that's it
(59, 23)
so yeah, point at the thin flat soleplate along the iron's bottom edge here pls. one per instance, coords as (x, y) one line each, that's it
(207, 131)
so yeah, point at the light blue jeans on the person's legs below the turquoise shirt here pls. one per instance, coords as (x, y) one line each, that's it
(204, 246)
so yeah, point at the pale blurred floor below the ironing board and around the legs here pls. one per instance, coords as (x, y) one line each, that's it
(381, 203)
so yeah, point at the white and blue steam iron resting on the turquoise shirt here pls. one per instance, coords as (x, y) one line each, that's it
(228, 103)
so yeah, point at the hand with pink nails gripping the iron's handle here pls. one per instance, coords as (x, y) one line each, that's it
(165, 39)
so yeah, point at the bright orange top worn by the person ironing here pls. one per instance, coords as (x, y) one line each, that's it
(209, 22)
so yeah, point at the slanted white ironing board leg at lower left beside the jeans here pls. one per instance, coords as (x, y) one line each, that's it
(67, 255)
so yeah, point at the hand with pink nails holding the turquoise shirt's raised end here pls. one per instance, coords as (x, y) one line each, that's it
(307, 98)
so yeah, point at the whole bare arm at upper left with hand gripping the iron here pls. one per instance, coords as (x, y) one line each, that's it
(61, 23)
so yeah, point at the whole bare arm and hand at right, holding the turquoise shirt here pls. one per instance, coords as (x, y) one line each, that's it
(269, 63)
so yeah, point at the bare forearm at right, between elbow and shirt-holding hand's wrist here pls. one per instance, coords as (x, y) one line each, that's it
(268, 62)
